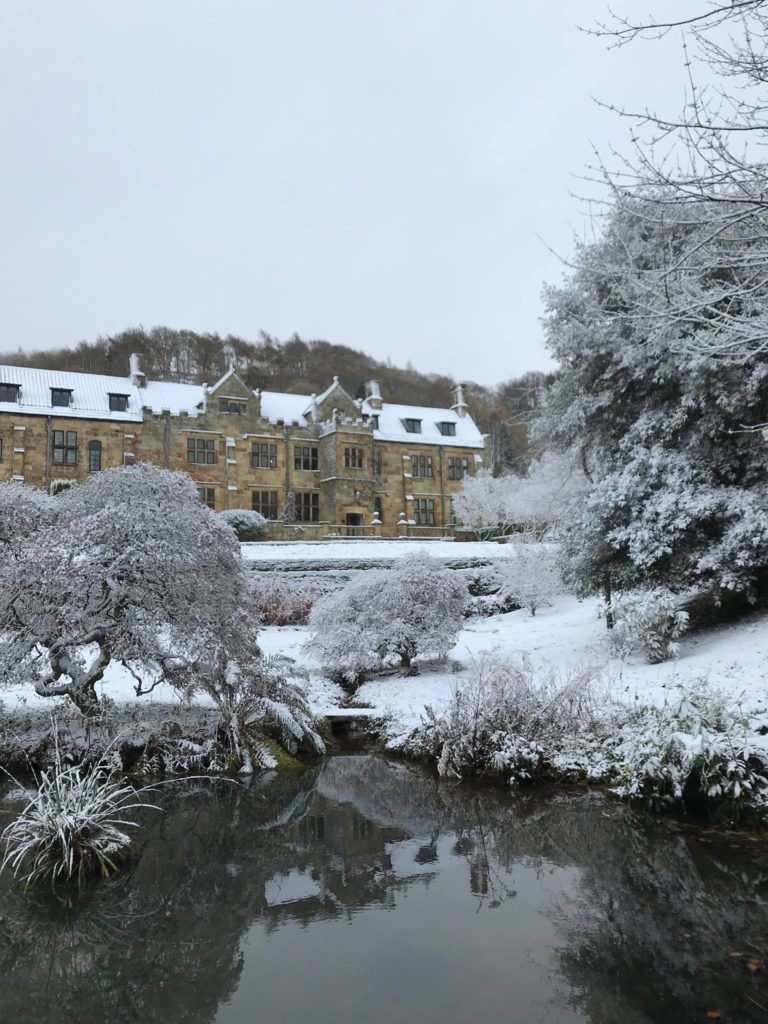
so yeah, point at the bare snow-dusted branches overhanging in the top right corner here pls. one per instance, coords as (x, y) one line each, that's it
(706, 165)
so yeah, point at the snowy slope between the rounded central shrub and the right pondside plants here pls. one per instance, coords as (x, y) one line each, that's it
(568, 638)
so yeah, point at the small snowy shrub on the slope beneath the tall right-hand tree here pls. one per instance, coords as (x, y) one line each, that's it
(650, 621)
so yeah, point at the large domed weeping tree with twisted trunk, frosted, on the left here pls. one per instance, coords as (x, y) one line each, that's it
(130, 569)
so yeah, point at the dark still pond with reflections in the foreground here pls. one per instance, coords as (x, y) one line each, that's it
(365, 890)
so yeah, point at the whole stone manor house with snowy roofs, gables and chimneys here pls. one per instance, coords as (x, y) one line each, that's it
(327, 462)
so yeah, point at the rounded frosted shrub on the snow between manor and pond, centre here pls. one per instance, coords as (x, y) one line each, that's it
(388, 619)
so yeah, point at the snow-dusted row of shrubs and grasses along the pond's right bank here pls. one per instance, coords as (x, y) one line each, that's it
(701, 751)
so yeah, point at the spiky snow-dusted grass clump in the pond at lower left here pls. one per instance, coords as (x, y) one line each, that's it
(73, 827)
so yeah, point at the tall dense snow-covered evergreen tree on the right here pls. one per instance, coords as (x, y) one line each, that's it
(679, 492)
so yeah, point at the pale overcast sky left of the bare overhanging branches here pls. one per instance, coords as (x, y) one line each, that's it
(375, 174)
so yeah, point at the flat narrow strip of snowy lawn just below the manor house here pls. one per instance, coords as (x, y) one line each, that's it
(370, 549)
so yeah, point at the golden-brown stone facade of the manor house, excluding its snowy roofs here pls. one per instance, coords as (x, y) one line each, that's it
(328, 468)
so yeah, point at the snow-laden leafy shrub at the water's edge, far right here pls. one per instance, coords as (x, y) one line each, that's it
(701, 748)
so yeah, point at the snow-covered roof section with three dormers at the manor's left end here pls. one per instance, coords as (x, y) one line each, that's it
(91, 395)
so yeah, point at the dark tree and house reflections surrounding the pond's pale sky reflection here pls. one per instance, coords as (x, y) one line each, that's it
(646, 927)
